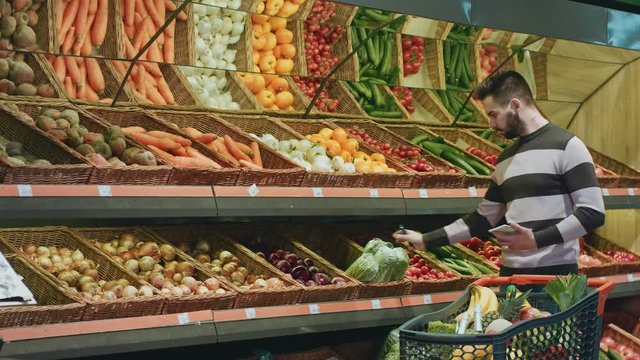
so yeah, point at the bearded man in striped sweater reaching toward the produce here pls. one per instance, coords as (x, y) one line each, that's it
(544, 186)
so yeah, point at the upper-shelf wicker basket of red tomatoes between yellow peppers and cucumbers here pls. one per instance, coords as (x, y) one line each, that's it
(442, 179)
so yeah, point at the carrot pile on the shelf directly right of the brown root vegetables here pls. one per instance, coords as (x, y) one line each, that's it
(172, 148)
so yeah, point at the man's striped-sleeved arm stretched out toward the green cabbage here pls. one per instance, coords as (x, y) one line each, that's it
(489, 212)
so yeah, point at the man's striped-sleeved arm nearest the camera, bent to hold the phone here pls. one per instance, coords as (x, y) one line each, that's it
(578, 174)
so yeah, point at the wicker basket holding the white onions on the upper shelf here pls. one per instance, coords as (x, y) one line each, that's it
(262, 125)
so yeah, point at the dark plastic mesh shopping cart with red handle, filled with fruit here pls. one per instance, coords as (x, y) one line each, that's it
(570, 334)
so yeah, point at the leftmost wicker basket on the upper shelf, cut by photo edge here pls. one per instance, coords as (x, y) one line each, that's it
(67, 167)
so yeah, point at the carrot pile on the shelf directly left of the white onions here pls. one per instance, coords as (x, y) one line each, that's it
(235, 153)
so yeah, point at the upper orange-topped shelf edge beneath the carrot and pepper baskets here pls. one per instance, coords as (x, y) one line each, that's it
(115, 201)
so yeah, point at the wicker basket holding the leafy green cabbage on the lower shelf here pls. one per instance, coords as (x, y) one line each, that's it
(342, 252)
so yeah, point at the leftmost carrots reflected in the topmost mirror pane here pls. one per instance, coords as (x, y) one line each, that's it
(81, 25)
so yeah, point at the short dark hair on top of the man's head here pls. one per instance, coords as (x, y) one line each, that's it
(504, 86)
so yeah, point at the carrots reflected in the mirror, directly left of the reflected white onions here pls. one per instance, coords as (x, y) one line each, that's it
(141, 19)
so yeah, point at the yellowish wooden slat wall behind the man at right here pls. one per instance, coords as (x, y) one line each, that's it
(610, 123)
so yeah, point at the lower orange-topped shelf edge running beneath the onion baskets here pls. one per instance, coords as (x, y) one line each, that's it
(220, 326)
